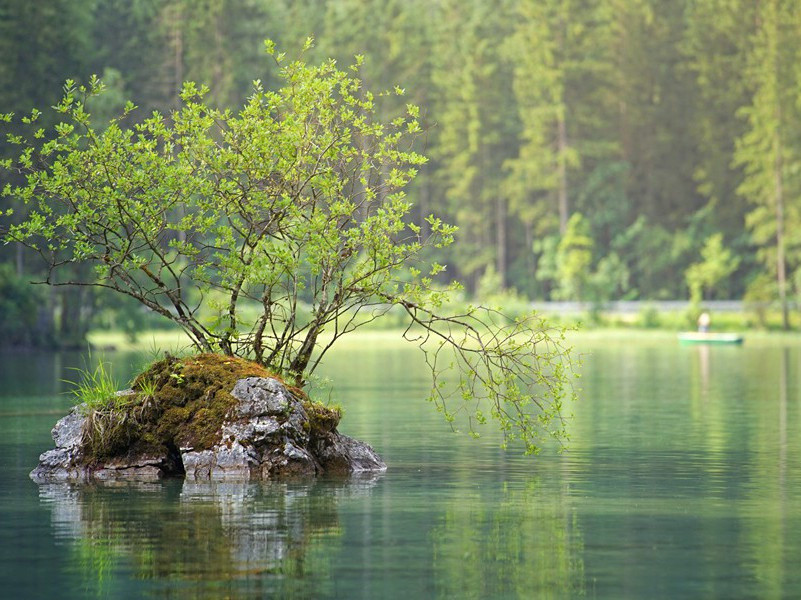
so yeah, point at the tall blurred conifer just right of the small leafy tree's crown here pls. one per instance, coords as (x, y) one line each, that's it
(477, 127)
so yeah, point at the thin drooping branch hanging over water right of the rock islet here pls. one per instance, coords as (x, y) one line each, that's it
(516, 371)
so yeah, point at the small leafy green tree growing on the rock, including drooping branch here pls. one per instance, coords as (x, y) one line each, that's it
(258, 232)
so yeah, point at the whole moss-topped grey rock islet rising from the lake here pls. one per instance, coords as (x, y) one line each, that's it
(206, 417)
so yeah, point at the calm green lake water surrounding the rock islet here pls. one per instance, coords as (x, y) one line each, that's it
(683, 480)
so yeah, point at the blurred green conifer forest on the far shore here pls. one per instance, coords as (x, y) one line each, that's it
(589, 150)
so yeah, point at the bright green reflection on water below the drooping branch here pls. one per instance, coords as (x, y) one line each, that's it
(528, 545)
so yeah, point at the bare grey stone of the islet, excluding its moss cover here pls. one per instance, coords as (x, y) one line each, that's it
(268, 434)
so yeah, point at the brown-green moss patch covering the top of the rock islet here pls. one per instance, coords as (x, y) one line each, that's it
(179, 403)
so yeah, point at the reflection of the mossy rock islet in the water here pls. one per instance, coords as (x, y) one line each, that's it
(201, 539)
